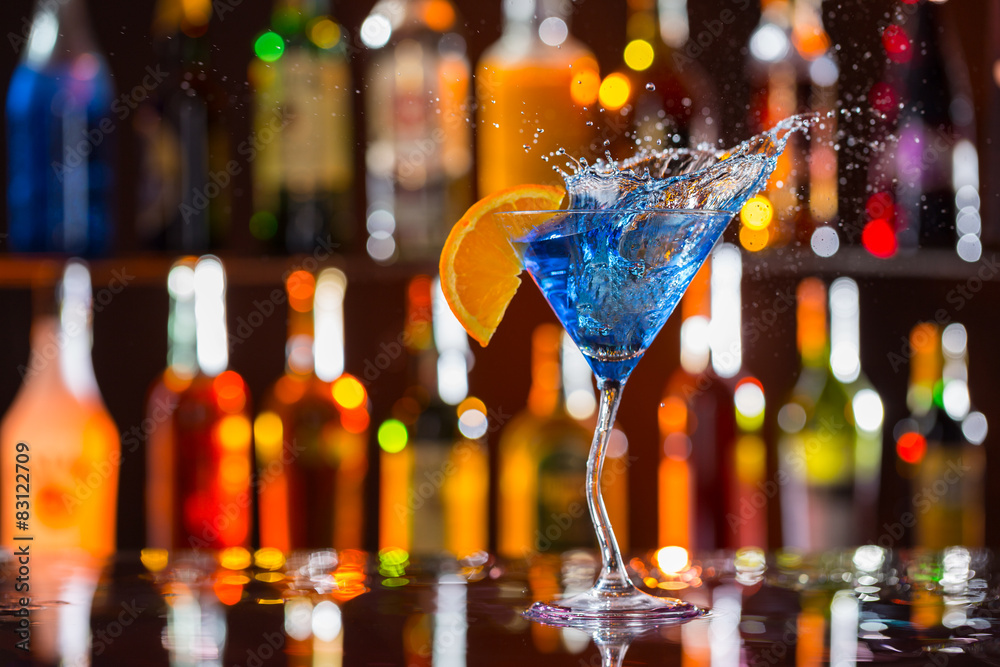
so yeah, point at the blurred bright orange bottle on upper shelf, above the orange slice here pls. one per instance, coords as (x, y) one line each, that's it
(533, 87)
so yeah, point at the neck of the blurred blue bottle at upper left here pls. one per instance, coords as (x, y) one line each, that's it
(60, 31)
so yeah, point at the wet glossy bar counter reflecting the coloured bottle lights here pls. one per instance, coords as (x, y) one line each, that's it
(356, 608)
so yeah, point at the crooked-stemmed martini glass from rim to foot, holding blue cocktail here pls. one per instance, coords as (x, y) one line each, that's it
(612, 277)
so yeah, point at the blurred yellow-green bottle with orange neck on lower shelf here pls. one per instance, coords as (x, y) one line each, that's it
(828, 440)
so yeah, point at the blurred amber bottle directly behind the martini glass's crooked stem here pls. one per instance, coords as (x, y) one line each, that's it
(542, 504)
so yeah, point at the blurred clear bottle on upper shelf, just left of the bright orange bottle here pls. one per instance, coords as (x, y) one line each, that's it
(419, 152)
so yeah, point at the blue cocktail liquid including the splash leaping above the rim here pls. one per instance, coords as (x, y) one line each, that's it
(614, 265)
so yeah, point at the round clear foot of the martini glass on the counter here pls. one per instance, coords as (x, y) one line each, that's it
(594, 610)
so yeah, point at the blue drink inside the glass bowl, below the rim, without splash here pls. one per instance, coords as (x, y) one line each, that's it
(614, 277)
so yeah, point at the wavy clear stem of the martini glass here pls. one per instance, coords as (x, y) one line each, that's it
(613, 580)
